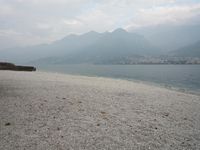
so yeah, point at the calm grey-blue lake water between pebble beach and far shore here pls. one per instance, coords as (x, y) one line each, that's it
(183, 77)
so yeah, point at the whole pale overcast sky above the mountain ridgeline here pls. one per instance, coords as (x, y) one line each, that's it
(24, 22)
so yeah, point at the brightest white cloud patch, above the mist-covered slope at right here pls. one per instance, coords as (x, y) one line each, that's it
(164, 15)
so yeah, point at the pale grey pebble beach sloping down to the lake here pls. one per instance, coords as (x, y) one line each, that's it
(49, 111)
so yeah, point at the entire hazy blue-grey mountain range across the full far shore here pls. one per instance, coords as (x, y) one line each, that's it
(111, 47)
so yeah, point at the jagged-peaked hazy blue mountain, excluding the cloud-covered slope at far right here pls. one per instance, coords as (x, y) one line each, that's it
(91, 47)
